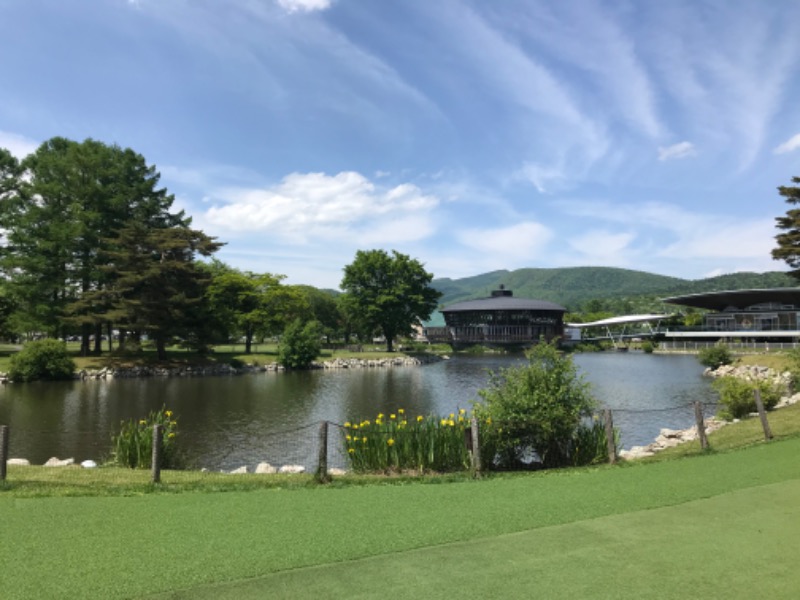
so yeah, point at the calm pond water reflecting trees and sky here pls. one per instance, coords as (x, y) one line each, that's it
(229, 421)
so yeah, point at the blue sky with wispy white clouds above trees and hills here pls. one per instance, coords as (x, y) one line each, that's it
(473, 135)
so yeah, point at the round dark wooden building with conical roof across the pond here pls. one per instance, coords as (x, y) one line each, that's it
(500, 320)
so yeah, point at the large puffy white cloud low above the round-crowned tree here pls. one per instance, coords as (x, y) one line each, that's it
(308, 206)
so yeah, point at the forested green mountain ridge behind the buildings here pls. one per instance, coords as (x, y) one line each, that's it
(573, 286)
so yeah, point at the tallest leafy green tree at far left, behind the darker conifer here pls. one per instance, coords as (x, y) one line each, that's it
(73, 200)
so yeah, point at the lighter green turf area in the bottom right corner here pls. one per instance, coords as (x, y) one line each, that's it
(693, 550)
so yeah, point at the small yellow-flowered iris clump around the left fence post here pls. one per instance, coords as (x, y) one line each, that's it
(132, 447)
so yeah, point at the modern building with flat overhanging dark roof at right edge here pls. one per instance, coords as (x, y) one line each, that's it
(759, 315)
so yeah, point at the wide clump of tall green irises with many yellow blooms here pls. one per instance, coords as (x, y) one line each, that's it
(399, 443)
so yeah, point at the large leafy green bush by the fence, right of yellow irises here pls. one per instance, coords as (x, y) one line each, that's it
(530, 415)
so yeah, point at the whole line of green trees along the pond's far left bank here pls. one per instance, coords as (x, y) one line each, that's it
(92, 249)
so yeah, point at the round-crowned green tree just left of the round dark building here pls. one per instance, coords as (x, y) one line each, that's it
(390, 293)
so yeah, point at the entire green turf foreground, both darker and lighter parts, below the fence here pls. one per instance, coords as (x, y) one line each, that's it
(722, 524)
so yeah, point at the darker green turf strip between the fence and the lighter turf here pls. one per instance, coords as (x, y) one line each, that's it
(118, 547)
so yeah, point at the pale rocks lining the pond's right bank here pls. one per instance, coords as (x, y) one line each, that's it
(669, 438)
